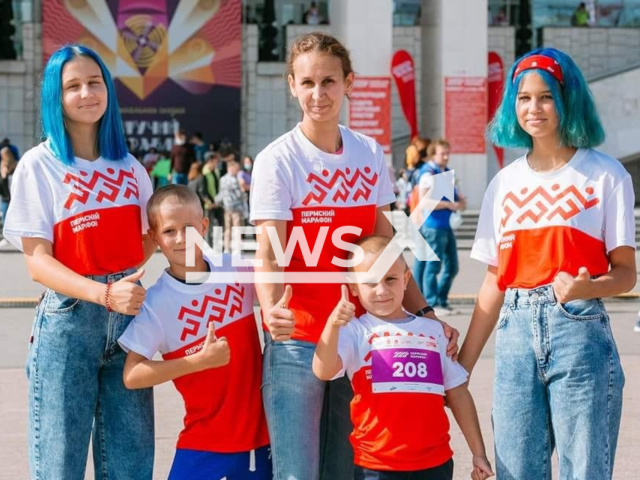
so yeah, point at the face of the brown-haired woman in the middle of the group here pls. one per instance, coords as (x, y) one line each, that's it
(319, 85)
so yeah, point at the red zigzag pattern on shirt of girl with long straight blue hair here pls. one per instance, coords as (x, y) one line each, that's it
(107, 187)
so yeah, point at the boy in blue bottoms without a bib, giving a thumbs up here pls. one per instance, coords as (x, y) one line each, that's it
(208, 338)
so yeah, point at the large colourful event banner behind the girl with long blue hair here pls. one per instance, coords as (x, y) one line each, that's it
(176, 62)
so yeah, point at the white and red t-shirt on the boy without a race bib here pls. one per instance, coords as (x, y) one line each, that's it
(223, 405)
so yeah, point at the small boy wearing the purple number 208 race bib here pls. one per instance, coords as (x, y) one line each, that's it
(401, 375)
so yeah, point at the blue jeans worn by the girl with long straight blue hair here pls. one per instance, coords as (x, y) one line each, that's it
(74, 368)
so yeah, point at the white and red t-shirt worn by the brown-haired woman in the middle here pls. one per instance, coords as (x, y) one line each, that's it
(295, 181)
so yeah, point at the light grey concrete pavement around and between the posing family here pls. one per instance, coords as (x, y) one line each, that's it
(16, 324)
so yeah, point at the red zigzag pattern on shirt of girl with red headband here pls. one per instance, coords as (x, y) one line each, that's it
(542, 205)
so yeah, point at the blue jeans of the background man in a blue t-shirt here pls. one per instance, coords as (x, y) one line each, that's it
(443, 243)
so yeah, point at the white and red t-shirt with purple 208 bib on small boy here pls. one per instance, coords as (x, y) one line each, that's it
(399, 372)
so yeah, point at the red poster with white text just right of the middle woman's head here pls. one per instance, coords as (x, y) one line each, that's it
(370, 109)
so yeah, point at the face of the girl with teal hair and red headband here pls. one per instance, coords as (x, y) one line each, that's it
(535, 107)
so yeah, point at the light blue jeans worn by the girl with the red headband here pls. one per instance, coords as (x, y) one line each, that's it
(558, 384)
